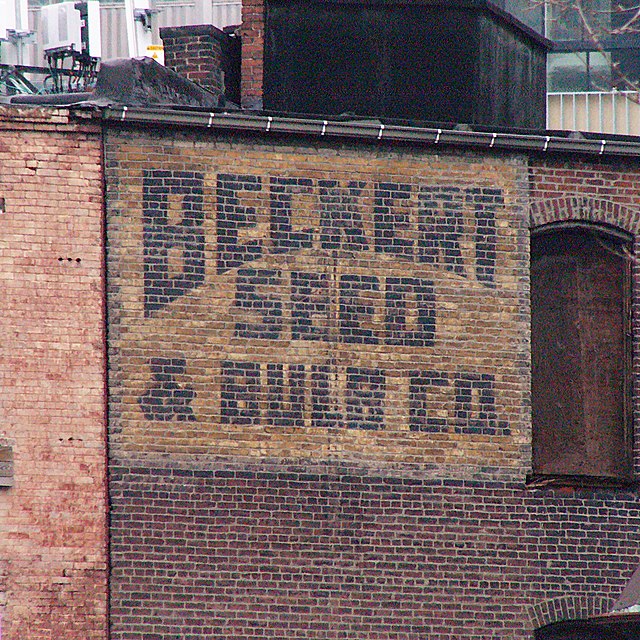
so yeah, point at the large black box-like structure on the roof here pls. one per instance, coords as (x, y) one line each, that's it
(428, 59)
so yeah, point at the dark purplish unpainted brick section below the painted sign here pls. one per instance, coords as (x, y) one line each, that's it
(243, 554)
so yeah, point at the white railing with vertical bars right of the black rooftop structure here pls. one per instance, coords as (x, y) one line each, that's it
(597, 111)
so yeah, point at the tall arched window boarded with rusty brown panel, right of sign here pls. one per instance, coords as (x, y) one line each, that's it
(580, 308)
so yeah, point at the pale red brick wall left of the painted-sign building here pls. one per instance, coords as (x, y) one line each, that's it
(53, 564)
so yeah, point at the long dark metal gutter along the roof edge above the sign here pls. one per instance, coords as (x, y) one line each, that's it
(604, 146)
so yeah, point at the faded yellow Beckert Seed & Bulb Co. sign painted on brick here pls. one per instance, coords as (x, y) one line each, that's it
(296, 311)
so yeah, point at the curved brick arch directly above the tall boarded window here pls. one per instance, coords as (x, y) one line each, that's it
(585, 208)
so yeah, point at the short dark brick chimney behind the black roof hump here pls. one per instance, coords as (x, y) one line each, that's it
(205, 55)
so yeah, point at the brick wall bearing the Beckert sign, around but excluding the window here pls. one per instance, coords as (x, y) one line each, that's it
(320, 393)
